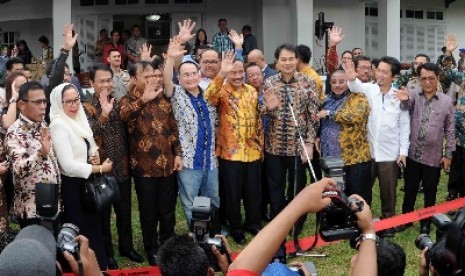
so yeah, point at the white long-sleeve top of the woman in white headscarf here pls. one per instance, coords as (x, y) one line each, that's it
(71, 150)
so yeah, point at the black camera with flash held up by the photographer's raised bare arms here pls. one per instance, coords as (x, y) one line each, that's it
(338, 220)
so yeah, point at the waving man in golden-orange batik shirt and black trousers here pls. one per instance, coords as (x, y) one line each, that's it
(240, 145)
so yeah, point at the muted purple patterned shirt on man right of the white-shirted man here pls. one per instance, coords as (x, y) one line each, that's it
(431, 121)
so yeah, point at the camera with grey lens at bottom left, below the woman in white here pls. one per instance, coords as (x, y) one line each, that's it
(66, 242)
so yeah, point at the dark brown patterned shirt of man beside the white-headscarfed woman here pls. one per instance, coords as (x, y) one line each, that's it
(110, 136)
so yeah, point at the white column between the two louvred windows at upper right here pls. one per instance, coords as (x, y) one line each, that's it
(389, 27)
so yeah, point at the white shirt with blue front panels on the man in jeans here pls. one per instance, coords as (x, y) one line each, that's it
(196, 122)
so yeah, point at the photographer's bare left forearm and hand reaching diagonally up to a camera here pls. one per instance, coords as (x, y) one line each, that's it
(258, 253)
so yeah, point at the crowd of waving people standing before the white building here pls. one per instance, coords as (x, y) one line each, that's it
(224, 124)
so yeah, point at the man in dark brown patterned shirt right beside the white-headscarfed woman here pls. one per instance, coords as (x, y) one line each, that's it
(110, 134)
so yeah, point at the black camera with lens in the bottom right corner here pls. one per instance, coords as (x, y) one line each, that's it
(454, 234)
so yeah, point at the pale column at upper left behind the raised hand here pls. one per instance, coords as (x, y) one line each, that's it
(61, 16)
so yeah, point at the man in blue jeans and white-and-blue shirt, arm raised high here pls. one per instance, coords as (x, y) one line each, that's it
(196, 120)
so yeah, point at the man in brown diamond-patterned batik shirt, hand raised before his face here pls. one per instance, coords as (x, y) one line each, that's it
(155, 154)
